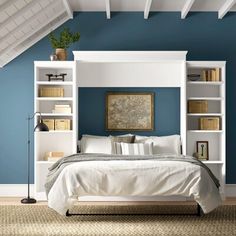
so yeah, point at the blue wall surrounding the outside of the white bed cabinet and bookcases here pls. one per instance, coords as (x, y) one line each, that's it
(202, 34)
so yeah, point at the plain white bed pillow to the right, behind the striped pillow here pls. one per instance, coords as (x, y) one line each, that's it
(162, 144)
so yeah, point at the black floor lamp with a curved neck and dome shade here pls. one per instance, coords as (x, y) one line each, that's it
(39, 127)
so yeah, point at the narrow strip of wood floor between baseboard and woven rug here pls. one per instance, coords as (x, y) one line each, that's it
(16, 201)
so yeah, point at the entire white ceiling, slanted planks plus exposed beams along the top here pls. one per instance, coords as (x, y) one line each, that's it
(24, 22)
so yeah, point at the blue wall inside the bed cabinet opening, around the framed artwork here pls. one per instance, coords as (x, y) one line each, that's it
(92, 110)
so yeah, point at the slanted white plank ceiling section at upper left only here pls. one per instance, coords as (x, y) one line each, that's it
(24, 22)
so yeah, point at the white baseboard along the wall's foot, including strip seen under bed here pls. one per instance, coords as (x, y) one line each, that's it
(21, 190)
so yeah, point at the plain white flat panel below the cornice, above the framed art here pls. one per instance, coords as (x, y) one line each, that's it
(129, 74)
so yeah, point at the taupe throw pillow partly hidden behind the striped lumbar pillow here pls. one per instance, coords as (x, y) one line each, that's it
(115, 140)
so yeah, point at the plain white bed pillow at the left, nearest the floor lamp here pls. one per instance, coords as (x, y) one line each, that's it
(95, 144)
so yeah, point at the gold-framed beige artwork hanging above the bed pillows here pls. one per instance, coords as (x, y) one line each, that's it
(129, 111)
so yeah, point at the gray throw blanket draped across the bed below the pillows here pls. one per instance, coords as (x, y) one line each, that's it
(58, 166)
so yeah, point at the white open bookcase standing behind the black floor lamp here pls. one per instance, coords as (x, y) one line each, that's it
(55, 140)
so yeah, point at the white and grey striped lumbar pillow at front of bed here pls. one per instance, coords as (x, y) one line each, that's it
(136, 148)
